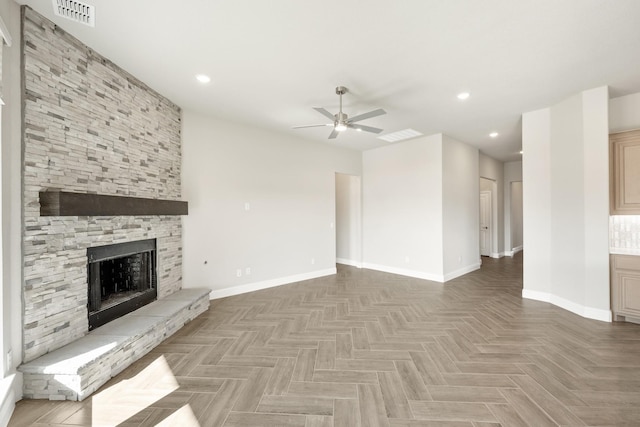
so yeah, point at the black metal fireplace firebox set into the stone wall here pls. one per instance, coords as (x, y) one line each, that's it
(121, 278)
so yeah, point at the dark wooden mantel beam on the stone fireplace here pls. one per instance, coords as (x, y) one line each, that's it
(62, 203)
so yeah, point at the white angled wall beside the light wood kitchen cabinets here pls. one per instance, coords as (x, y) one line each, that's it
(565, 174)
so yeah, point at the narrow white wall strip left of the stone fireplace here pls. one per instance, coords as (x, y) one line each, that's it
(11, 383)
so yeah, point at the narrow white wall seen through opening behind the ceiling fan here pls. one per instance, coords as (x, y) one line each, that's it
(348, 220)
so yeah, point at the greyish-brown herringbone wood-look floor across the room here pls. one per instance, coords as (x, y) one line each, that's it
(366, 348)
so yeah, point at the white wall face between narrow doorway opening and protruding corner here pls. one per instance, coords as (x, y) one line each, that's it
(402, 208)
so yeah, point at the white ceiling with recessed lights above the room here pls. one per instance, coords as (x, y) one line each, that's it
(272, 61)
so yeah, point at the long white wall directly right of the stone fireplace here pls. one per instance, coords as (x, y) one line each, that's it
(288, 186)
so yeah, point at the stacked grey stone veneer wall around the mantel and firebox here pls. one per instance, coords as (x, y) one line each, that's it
(89, 127)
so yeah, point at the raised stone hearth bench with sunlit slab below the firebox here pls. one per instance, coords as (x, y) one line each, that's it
(78, 369)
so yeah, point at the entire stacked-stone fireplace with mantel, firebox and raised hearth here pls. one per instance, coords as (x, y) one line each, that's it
(102, 230)
